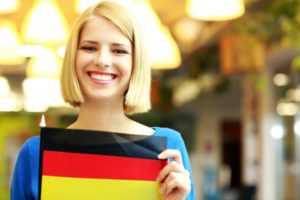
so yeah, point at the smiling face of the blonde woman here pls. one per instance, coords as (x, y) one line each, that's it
(103, 60)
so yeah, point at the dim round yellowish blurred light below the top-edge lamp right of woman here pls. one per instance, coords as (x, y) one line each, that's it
(187, 30)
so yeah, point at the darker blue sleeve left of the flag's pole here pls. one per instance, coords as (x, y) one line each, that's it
(21, 175)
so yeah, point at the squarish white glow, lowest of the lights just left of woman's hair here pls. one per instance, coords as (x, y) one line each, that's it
(41, 93)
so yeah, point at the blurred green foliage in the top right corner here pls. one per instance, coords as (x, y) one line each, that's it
(276, 22)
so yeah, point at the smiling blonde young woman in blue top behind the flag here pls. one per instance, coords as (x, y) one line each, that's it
(106, 74)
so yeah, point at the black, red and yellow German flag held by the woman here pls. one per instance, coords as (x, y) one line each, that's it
(84, 164)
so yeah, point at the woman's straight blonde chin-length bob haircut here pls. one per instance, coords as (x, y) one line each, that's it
(137, 97)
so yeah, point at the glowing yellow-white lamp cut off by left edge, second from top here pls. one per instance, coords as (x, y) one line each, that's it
(9, 43)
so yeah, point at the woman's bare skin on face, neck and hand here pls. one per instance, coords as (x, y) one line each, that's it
(104, 50)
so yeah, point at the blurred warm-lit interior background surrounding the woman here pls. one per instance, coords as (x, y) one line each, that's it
(226, 74)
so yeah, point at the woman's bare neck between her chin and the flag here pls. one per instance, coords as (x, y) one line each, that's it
(101, 116)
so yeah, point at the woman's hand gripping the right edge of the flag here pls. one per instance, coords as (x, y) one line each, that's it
(175, 180)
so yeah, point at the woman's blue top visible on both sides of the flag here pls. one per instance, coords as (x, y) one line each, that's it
(26, 174)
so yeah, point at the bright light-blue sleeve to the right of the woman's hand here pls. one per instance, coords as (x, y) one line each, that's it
(186, 162)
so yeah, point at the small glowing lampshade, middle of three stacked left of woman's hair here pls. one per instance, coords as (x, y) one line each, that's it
(46, 65)
